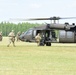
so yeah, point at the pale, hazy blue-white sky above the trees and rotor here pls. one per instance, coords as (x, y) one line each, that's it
(37, 8)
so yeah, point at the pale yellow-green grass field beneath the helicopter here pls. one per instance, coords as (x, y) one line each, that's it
(29, 59)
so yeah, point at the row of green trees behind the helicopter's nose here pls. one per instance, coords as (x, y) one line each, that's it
(5, 28)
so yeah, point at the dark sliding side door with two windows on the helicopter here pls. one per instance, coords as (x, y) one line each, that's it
(66, 36)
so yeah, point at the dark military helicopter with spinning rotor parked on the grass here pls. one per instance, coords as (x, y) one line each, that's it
(67, 32)
